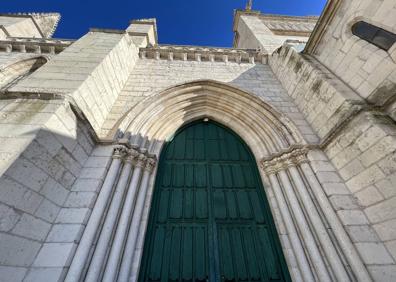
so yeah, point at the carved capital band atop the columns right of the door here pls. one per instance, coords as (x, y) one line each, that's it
(292, 157)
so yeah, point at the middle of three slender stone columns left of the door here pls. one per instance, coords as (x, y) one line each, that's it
(124, 222)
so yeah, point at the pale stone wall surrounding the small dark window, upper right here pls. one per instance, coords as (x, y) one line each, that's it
(367, 69)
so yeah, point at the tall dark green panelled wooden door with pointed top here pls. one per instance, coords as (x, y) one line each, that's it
(210, 220)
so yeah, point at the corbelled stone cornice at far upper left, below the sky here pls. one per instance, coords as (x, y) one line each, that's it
(34, 45)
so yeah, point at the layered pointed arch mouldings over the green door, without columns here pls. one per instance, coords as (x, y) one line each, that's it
(265, 130)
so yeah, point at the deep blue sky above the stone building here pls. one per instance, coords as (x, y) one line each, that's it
(184, 22)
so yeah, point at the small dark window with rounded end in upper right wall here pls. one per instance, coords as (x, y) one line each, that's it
(379, 37)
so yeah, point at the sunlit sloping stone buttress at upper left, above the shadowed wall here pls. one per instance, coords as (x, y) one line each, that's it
(92, 72)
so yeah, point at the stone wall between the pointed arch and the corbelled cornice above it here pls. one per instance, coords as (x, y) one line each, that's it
(150, 77)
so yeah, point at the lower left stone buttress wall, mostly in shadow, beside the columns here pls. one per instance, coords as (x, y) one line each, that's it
(43, 154)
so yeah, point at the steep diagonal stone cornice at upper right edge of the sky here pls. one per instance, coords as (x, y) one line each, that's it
(325, 18)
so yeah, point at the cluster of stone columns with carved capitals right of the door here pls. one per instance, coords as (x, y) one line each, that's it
(312, 211)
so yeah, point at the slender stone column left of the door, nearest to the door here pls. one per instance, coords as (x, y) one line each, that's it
(129, 250)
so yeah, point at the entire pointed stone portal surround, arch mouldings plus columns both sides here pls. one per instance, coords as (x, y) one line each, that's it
(301, 209)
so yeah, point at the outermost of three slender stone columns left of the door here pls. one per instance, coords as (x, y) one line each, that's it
(98, 259)
